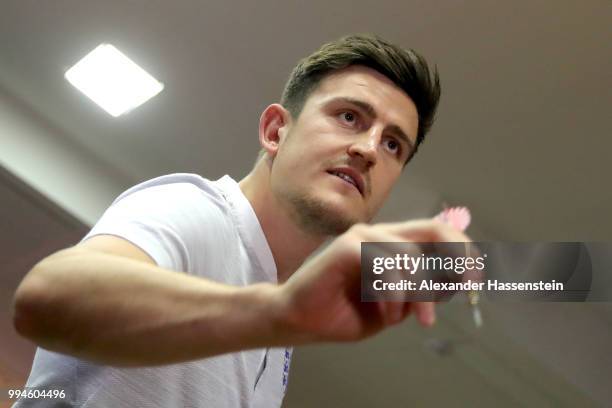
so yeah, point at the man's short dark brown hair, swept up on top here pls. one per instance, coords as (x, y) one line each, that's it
(405, 67)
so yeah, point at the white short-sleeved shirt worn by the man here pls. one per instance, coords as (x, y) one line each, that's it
(204, 228)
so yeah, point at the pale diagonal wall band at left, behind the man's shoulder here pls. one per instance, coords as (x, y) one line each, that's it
(37, 152)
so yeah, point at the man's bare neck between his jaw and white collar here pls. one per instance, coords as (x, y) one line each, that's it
(277, 225)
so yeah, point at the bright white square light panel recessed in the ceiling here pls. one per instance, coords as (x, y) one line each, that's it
(112, 80)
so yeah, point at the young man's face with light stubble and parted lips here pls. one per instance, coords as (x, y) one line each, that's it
(337, 163)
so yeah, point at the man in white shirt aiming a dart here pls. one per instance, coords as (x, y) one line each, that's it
(118, 326)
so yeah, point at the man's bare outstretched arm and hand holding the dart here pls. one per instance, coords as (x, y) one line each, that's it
(106, 300)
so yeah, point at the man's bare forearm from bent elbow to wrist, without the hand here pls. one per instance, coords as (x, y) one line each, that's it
(123, 312)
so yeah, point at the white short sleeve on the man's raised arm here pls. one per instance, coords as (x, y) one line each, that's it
(165, 221)
